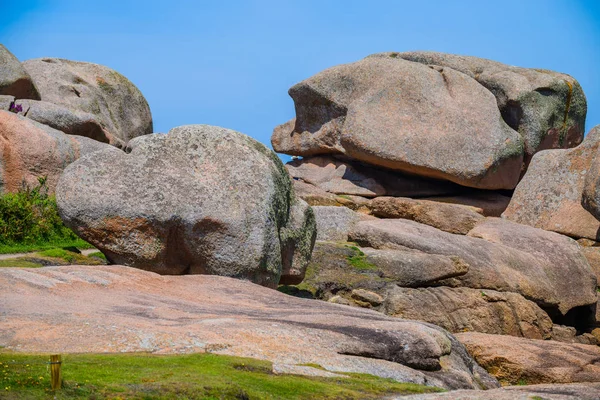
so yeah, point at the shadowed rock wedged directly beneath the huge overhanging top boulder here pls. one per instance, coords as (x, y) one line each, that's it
(347, 177)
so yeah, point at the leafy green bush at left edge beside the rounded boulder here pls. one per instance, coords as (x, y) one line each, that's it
(30, 217)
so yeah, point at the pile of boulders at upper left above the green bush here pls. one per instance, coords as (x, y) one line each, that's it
(64, 109)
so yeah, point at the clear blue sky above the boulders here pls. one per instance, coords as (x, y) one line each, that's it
(230, 63)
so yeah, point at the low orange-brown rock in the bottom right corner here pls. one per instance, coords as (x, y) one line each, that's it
(516, 360)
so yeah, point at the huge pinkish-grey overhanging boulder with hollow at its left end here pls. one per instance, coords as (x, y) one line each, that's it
(429, 121)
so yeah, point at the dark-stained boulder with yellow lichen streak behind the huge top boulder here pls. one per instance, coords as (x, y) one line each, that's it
(547, 108)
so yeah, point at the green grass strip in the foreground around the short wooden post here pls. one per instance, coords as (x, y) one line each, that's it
(193, 376)
